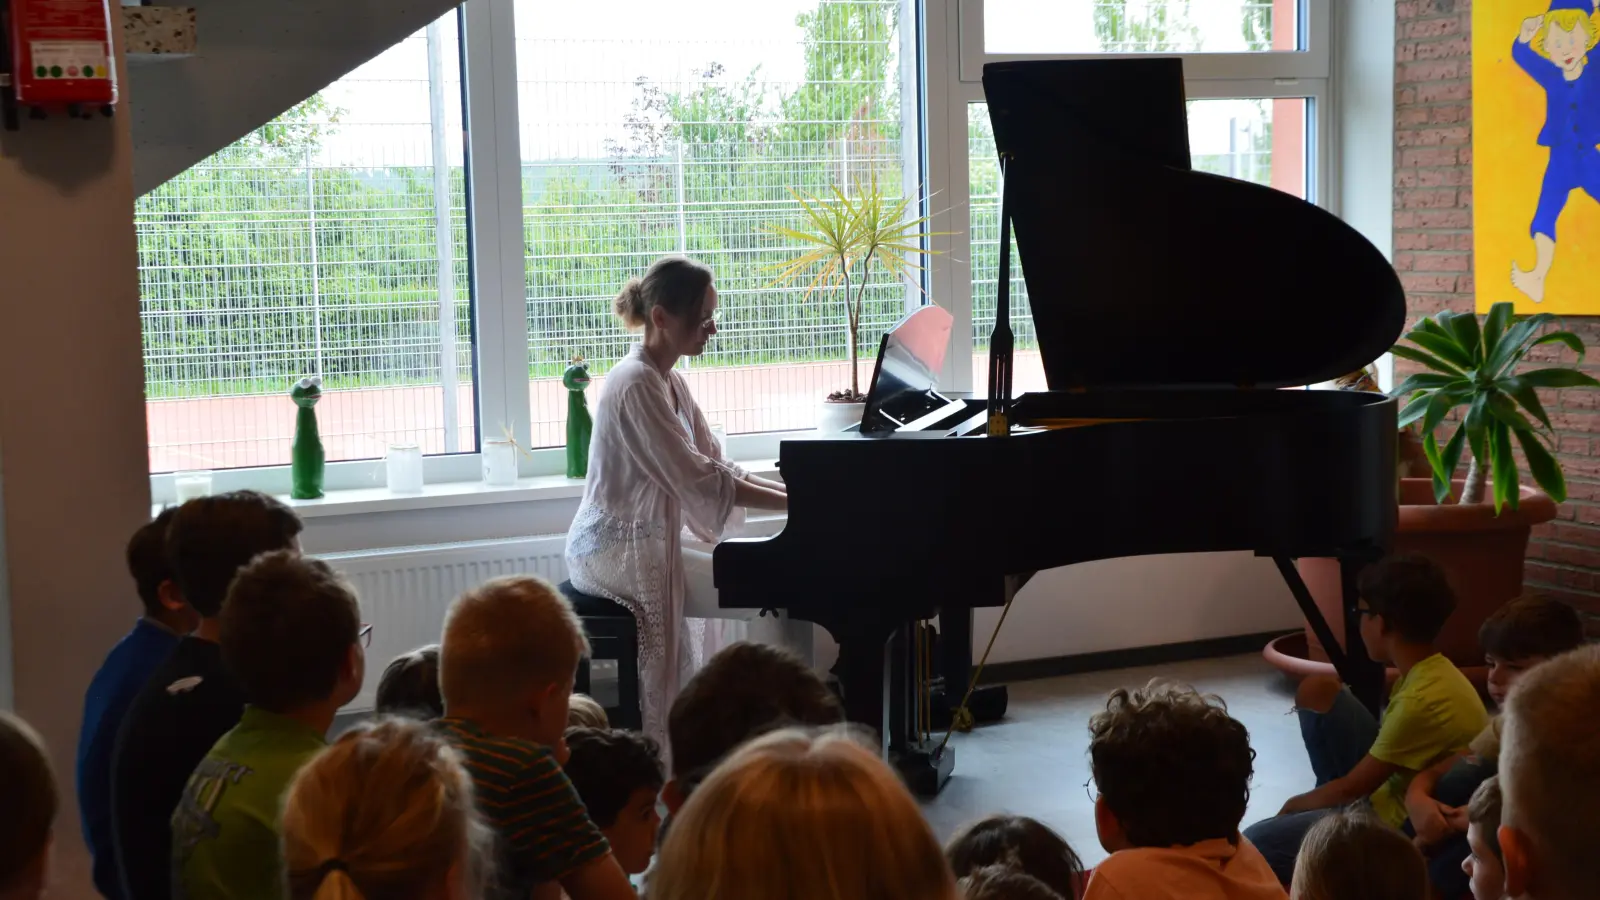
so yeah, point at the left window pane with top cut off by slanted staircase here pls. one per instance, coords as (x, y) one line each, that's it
(332, 243)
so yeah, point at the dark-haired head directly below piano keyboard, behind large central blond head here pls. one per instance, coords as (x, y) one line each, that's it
(745, 691)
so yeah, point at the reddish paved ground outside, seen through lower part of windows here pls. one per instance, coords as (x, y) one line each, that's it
(228, 433)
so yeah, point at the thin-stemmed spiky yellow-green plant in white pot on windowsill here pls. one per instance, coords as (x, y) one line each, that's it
(844, 236)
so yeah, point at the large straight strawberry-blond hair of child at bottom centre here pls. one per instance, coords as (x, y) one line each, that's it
(796, 814)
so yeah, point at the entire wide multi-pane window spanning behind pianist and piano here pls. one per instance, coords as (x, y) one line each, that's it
(439, 233)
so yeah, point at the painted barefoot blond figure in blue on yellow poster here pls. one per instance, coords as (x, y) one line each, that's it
(1554, 52)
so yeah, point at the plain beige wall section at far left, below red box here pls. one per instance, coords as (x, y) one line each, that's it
(74, 460)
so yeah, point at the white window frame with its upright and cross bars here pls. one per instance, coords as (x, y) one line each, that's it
(945, 49)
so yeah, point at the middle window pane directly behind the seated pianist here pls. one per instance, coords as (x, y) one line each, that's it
(654, 129)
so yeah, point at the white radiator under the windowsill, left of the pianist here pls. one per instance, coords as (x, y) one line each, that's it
(406, 592)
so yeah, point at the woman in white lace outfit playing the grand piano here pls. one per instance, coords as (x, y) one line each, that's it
(655, 470)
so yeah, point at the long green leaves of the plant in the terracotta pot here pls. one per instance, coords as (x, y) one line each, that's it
(1476, 368)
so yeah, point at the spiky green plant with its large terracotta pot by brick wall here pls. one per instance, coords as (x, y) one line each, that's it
(1478, 528)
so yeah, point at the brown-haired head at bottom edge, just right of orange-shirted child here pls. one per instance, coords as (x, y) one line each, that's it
(1354, 856)
